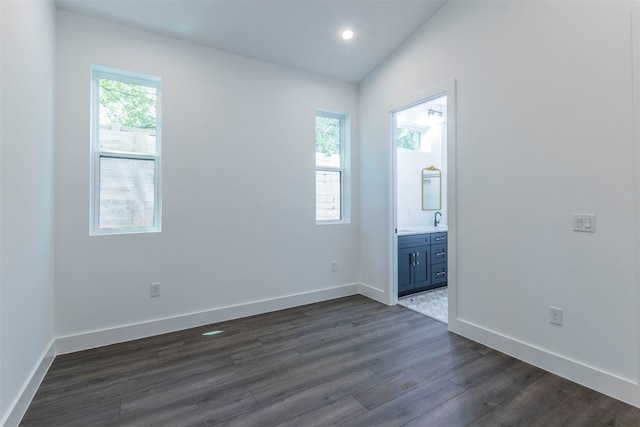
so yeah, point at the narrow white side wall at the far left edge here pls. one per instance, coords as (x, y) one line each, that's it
(27, 35)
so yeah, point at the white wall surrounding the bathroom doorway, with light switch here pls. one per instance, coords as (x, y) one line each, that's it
(544, 130)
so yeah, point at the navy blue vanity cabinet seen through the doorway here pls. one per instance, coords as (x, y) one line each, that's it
(422, 262)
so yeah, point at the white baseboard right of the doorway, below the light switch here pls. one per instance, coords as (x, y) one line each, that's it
(624, 389)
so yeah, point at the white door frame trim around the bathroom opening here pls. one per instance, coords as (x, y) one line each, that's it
(449, 89)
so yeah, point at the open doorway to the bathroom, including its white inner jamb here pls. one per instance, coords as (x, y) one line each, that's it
(423, 224)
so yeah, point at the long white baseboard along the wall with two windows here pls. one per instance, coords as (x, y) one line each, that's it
(99, 338)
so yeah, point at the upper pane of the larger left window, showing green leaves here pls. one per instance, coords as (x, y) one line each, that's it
(127, 117)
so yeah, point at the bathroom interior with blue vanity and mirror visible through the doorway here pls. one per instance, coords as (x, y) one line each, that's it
(420, 137)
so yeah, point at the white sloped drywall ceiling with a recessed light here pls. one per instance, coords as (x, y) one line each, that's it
(302, 34)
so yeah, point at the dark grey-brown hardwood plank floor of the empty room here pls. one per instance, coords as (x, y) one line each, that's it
(350, 361)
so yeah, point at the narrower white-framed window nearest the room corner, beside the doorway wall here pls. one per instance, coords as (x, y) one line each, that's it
(332, 151)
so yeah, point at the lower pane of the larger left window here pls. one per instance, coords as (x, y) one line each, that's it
(126, 193)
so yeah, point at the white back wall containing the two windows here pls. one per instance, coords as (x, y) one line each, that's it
(231, 126)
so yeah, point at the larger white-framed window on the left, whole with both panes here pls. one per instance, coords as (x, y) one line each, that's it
(125, 152)
